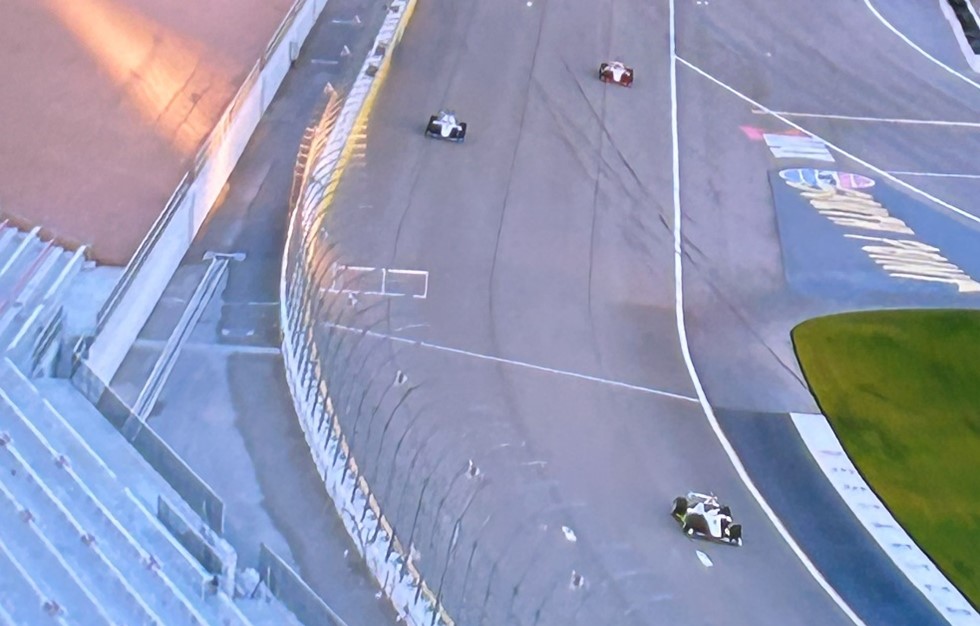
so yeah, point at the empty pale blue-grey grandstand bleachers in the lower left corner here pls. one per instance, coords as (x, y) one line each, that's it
(89, 532)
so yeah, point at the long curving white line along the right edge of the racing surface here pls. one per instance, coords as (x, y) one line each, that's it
(686, 350)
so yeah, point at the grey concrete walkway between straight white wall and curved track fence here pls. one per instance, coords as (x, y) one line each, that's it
(226, 408)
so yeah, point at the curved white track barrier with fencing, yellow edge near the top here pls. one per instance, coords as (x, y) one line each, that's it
(319, 168)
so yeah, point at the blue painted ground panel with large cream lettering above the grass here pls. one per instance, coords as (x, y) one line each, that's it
(840, 229)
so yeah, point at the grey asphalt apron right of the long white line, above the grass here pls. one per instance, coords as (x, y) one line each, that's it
(838, 61)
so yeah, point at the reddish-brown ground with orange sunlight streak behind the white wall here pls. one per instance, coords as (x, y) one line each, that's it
(104, 103)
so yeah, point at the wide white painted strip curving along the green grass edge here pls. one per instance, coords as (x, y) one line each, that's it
(826, 449)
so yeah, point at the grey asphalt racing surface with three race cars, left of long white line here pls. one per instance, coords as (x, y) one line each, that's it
(547, 240)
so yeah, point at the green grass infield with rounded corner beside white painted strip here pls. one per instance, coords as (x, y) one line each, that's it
(902, 391)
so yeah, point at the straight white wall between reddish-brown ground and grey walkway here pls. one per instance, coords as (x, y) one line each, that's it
(159, 254)
